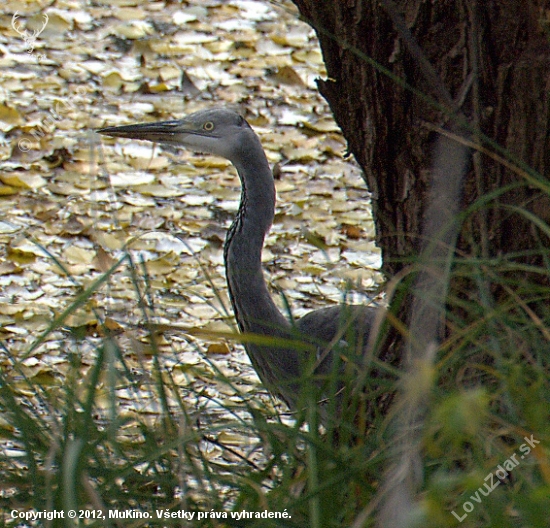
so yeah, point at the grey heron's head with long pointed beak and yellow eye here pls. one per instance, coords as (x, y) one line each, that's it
(215, 131)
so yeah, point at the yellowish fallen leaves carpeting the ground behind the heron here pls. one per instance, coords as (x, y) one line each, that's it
(72, 204)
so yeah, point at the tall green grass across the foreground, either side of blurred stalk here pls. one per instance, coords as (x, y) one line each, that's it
(103, 436)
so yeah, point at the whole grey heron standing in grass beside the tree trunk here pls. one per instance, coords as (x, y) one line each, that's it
(281, 367)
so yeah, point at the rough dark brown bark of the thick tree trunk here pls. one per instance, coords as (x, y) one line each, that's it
(492, 57)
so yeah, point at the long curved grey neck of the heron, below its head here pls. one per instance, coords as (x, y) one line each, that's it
(254, 308)
